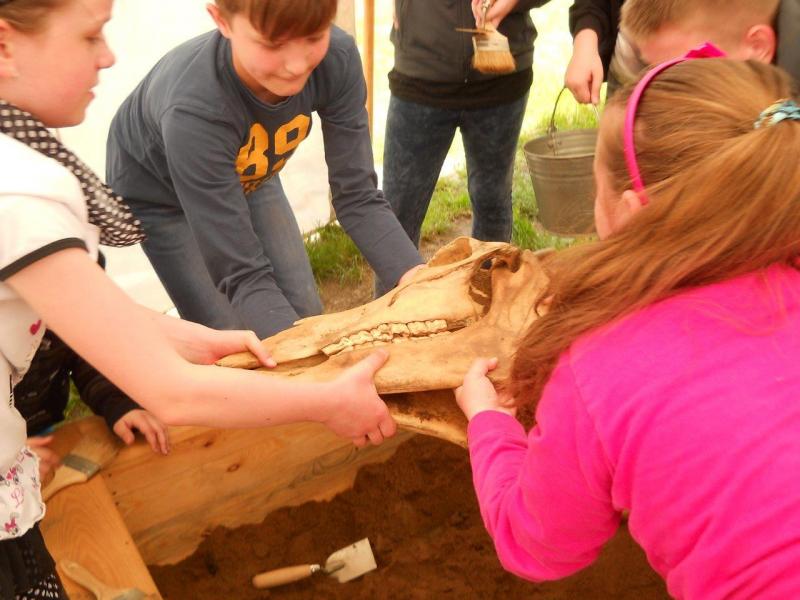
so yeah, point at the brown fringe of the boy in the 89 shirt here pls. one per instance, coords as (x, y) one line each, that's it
(282, 18)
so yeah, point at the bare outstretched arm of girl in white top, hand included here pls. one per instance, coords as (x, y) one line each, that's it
(91, 314)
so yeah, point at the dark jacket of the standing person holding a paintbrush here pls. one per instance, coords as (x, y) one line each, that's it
(428, 47)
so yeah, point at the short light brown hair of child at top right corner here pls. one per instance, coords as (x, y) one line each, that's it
(641, 18)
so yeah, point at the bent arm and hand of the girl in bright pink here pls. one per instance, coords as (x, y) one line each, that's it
(546, 498)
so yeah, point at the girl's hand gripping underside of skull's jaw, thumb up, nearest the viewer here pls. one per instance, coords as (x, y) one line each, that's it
(357, 411)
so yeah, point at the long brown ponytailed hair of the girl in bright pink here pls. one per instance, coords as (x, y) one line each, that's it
(724, 201)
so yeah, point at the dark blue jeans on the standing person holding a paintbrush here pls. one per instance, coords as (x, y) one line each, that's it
(417, 140)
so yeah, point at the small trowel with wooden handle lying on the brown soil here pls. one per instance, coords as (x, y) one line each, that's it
(345, 564)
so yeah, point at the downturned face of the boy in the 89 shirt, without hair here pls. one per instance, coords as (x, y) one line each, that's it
(277, 68)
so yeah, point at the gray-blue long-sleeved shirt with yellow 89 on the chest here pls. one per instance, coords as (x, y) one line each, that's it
(192, 136)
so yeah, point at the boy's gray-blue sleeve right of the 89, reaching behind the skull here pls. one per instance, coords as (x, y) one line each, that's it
(360, 207)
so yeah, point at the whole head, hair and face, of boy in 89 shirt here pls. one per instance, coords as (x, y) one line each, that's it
(276, 44)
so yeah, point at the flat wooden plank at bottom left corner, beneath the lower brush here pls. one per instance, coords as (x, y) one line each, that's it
(82, 524)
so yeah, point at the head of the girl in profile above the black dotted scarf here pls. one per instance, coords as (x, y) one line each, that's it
(51, 52)
